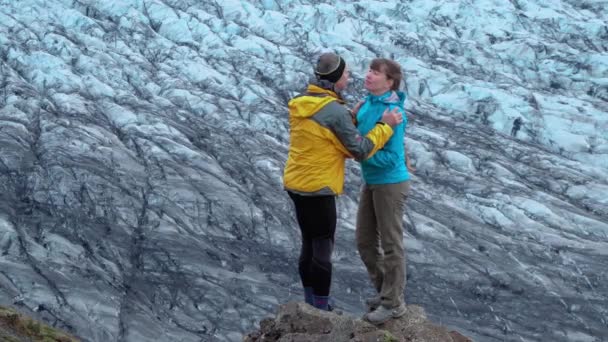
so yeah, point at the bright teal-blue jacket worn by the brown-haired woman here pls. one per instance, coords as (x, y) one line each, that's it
(387, 166)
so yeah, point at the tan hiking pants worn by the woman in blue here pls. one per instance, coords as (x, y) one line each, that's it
(380, 238)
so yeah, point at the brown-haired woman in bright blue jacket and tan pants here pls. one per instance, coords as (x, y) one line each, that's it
(383, 195)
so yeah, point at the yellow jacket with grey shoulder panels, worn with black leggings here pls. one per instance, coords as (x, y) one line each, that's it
(322, 135)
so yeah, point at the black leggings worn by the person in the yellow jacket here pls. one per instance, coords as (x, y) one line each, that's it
(317, 220)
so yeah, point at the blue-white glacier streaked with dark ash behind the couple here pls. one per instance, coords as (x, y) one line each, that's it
(142, 144)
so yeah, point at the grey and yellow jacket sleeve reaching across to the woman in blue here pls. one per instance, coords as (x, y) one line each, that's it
(360, 147)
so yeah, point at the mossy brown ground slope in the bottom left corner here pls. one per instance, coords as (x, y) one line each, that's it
(27, 327)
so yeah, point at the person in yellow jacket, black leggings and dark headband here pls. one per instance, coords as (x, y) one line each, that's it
(322, 136)
